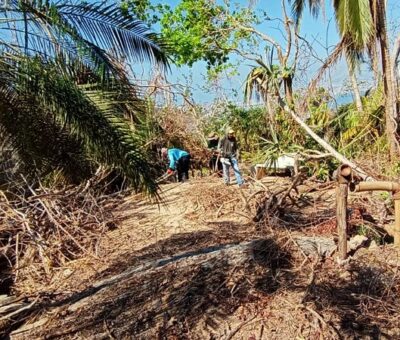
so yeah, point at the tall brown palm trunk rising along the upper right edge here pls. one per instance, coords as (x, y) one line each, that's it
(388, 83)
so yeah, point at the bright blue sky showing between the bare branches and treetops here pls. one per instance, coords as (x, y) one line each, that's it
(321, 32)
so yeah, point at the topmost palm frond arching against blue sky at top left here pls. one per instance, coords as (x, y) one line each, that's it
(95, 34)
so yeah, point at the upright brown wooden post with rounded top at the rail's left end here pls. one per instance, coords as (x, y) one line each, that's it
(342, 189)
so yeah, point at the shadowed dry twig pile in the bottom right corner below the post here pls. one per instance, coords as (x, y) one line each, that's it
(361, 299)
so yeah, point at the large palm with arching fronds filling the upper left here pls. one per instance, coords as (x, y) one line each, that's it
(62, 85)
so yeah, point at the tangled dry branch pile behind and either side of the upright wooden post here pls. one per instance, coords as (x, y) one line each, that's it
(309, 206)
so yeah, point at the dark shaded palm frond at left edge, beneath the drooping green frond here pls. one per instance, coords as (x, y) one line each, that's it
(37, 141)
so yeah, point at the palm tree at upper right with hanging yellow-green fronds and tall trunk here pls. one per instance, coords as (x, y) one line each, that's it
(361, 23)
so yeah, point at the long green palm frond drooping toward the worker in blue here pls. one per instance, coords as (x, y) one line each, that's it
(38, 90)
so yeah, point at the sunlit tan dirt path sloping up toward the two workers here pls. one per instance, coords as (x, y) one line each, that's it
(179, 227)
